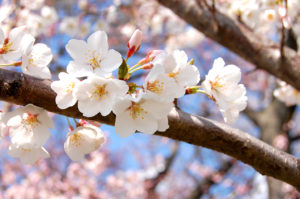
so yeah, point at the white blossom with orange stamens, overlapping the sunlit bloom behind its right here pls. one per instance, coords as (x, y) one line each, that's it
(159, 85)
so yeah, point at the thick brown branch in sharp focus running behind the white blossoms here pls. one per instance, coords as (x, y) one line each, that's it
(21, 89)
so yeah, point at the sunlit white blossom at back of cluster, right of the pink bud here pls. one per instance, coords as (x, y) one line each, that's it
(177, 67)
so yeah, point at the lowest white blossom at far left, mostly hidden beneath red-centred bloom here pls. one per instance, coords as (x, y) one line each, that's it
(27, 153)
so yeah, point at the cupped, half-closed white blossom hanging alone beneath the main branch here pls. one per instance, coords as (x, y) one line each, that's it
(83, 140)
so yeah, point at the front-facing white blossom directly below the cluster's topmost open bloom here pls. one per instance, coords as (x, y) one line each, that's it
(97, 94)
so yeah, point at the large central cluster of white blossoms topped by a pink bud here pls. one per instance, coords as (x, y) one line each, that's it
(143, 108)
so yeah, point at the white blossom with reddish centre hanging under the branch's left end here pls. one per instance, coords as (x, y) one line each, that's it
(28, 125)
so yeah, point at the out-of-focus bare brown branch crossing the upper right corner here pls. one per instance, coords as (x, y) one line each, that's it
(262, 52)
